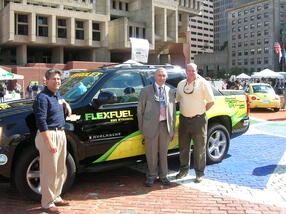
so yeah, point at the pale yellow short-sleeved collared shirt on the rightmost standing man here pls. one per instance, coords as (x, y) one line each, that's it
(194, 103)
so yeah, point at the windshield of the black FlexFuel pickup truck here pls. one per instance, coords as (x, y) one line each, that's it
(78, 84)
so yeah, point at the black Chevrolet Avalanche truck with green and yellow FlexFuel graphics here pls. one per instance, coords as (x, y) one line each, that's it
(103, 131)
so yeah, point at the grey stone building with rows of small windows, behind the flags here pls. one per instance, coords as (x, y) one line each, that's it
(253, 29)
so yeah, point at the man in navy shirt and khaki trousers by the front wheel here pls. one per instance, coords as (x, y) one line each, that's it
(49, 109)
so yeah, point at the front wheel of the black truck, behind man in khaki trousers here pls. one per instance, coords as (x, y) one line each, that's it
(27, 174)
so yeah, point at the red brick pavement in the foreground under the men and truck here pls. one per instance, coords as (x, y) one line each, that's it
(122, 191)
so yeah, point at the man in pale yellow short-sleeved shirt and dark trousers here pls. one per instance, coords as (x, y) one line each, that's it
(195, 97)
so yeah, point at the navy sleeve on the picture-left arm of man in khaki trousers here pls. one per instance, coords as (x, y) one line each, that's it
(40, 107)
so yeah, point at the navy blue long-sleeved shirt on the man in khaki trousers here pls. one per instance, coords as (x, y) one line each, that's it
(48, 110)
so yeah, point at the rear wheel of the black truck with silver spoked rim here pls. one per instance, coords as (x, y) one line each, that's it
(217, 143)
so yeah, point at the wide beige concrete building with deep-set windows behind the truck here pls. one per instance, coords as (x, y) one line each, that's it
(53, 31)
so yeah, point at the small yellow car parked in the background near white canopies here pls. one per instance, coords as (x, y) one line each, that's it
(262, 95)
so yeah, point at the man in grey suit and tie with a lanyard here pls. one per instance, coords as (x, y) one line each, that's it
(156, 114)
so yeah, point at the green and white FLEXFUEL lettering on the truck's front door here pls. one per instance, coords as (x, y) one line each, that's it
(114, 116)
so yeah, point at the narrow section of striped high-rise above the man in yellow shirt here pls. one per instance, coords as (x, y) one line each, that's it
(202, 30)
